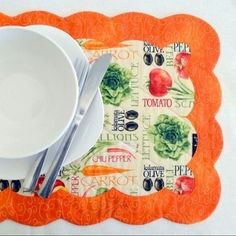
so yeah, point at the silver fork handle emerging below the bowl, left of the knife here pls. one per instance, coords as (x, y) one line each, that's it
(34, 173)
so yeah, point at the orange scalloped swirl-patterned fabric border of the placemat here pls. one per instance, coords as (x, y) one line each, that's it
(190, 208)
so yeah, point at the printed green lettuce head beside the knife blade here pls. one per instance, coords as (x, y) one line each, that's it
(115, 86)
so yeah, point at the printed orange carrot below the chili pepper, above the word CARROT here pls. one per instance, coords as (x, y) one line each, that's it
(96, 170)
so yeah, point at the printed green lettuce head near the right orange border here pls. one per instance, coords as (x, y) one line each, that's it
(170, 136)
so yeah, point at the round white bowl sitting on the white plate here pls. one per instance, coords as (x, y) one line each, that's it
(38, 92)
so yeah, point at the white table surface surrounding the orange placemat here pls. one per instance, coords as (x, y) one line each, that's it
(222, 16)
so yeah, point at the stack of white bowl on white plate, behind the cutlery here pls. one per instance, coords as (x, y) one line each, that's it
(41, 75)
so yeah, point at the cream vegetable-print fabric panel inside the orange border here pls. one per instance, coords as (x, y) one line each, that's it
(147, 140)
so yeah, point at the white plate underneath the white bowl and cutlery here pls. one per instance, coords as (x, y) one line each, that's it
(89, 131)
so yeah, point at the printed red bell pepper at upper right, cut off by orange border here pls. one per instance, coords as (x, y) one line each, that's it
(181, 61)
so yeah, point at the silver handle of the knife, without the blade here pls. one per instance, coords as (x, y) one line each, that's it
(52, 174)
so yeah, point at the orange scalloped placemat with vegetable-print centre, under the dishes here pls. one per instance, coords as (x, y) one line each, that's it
(190, 49)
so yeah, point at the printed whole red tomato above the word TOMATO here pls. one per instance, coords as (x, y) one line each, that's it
(160, 81)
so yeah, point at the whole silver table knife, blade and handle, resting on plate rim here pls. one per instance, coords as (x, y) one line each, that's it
(88, 93)
